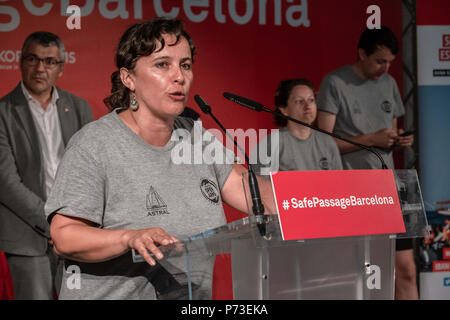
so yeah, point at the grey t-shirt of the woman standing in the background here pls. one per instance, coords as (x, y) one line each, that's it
(289, 153)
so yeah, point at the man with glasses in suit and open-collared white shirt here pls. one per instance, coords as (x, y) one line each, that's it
(37, 120)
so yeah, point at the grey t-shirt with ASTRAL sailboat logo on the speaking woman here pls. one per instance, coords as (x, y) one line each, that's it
(112, 177)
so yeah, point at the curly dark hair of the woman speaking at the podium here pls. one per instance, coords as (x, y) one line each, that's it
(140, 40)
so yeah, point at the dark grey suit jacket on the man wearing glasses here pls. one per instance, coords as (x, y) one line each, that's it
(23, 227)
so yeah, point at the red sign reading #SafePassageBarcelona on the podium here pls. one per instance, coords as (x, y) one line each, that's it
(326, 204)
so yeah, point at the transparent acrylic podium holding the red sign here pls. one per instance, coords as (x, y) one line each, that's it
(264, 266)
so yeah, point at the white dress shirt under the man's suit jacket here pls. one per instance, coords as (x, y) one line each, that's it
(49, 133)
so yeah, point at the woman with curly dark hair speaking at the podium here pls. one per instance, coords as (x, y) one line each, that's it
(118, 188)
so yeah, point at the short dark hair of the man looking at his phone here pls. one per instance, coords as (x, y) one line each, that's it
(371, 39)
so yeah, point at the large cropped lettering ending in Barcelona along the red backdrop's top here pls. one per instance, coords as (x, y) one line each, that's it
(295, 11)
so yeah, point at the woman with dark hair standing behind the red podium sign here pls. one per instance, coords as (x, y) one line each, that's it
(299, 148)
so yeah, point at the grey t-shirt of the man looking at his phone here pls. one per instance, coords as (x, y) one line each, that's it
(361, 107)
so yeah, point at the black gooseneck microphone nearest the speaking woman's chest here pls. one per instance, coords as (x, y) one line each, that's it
(258, 207)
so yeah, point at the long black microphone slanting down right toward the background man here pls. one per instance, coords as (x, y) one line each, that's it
(256, 106)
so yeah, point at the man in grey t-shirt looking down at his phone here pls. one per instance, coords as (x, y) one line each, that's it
(362, 103)
